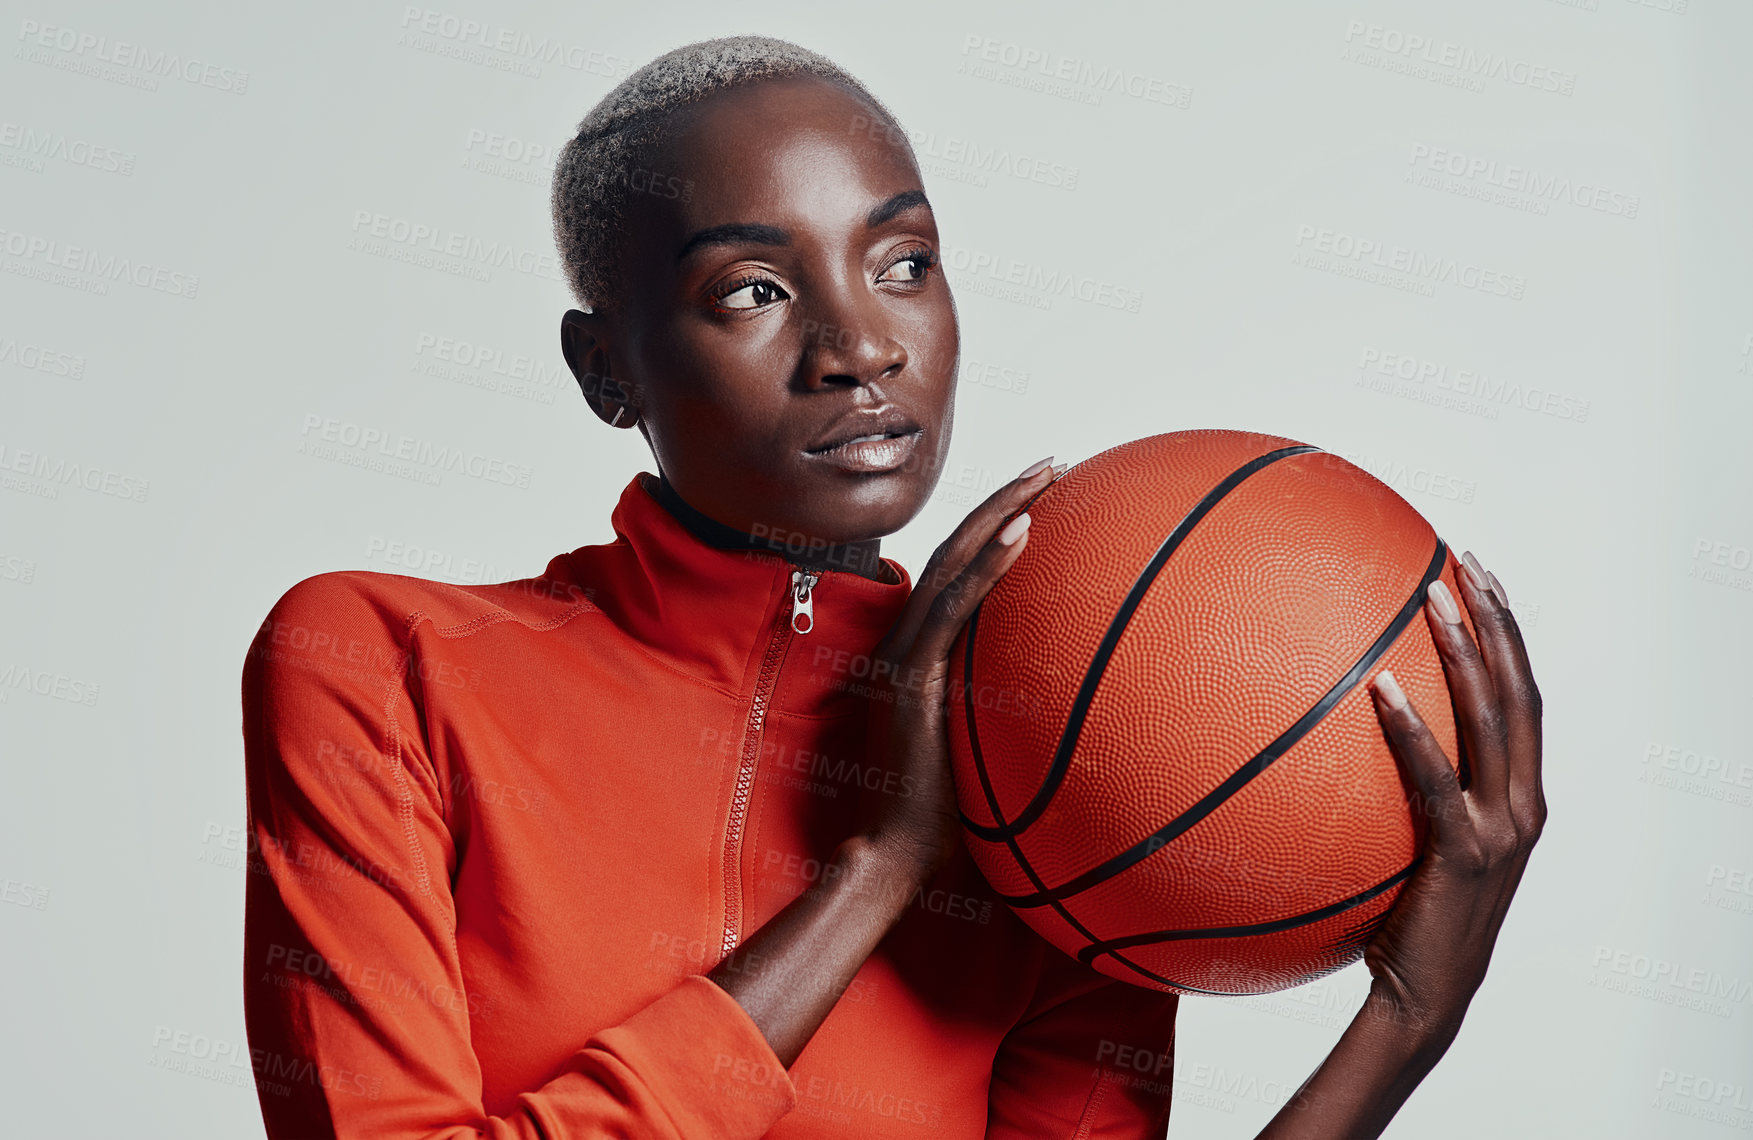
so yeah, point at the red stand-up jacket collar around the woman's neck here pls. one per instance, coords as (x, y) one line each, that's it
(707, 602)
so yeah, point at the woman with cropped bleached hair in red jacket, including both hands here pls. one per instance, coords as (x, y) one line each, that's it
(630, 850)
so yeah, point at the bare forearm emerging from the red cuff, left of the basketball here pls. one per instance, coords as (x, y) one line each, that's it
(790, 974)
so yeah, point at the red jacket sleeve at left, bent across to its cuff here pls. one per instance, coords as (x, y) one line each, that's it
(353, 990)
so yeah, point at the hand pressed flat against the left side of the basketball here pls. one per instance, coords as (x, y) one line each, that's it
(921, 830)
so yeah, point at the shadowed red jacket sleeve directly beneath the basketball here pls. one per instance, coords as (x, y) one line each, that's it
(1091, 1058)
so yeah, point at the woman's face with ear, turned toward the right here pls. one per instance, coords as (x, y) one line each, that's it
(781, 294)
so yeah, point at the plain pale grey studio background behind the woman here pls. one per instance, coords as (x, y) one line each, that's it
(1496, 253)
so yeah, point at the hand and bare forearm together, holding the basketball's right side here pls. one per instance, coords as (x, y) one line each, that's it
(1431, 951)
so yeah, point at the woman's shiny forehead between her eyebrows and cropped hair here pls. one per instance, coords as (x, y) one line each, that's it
(798, 153)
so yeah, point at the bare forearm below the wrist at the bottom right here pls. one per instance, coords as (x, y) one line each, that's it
(1368, 1076)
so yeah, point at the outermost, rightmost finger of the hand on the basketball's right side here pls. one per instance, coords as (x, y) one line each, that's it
(1507, 660)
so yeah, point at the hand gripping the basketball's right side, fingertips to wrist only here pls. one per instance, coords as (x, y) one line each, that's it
(1435, 946)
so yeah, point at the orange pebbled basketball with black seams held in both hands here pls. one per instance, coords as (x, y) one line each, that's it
(1167, 755)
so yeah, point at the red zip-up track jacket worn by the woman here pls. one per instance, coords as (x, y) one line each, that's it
(499, 836)
